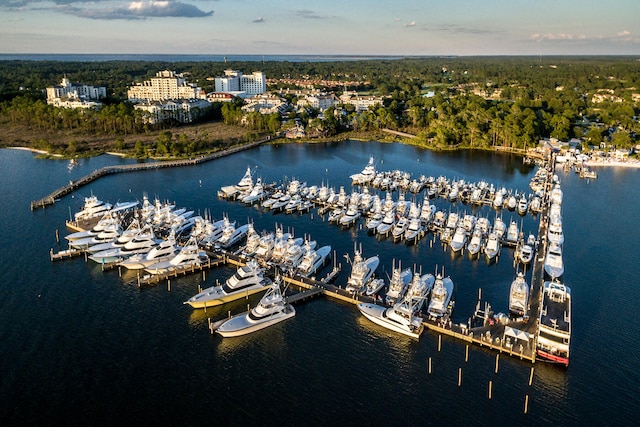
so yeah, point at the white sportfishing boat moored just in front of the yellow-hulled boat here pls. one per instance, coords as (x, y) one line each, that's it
(271, 309)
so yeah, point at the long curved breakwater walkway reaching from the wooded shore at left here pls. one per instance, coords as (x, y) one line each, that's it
(50, 199)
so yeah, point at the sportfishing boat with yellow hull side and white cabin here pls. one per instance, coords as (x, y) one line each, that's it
(247, 280)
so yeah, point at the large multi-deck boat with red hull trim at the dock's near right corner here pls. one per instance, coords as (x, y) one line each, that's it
(554, 326)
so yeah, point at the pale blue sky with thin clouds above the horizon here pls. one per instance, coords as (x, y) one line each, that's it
(327, 27)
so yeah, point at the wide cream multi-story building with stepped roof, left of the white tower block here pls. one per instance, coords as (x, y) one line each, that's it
(166, 85)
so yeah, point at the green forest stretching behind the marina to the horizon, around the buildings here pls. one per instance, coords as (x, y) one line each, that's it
(448, 102)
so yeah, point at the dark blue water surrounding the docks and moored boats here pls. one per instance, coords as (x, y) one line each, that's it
(79, 346)
